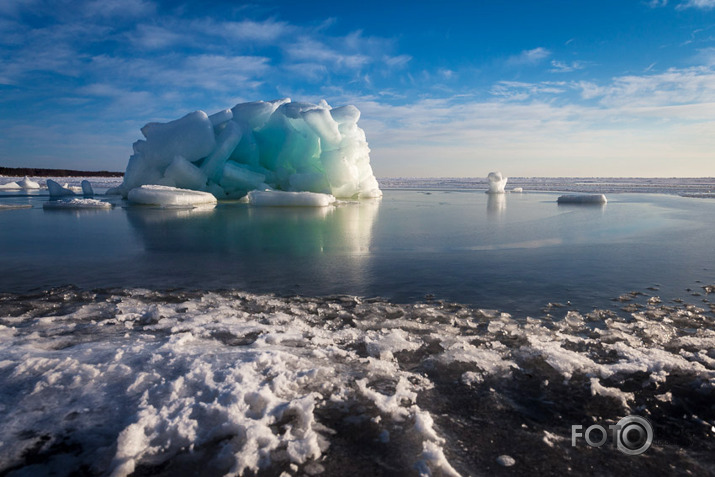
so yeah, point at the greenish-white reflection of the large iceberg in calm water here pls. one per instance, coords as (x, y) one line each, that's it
(268, 248)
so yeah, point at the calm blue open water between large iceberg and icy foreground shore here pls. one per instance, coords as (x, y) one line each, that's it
(513, 252)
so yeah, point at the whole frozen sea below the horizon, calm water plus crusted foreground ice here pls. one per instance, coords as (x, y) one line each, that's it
(433, 332)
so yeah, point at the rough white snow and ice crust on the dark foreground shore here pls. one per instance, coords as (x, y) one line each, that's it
(232, 381)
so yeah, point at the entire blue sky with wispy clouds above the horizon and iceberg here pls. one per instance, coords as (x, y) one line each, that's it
(446, 88)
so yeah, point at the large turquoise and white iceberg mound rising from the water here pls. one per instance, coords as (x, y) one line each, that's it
(277, 145)
